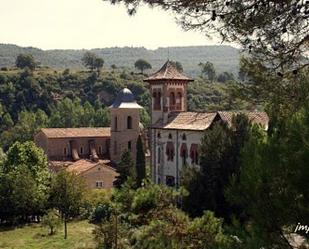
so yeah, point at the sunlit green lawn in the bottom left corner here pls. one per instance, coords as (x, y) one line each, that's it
(36, 237)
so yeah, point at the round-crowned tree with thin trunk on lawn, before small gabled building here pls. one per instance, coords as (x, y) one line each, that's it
(66, 195)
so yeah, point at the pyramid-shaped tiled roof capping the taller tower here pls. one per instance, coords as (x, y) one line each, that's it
(168, 72)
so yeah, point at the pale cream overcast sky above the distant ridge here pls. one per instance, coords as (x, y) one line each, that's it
(77, 24)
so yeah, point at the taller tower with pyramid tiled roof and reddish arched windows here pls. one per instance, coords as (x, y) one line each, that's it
(168, 89)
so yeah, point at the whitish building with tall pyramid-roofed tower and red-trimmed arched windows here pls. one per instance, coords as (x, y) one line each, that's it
(176, 133)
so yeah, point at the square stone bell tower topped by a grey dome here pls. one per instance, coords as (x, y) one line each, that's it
(125, 125)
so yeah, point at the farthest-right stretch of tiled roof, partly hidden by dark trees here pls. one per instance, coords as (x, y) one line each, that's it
(255, 117)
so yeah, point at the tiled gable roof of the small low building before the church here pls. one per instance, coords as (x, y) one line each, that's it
(84, 165)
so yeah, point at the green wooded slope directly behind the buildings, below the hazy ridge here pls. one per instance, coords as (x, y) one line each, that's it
(30, 100)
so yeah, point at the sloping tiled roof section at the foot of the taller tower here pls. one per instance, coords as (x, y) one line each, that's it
(187, 121)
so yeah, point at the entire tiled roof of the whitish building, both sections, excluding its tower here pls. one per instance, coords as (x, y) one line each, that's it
(201, 121)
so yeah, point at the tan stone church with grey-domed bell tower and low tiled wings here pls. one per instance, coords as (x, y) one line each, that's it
(93, 152)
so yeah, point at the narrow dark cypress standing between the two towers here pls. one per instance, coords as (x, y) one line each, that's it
(140, 162)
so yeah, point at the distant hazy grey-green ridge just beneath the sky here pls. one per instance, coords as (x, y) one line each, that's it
(225, 58)
